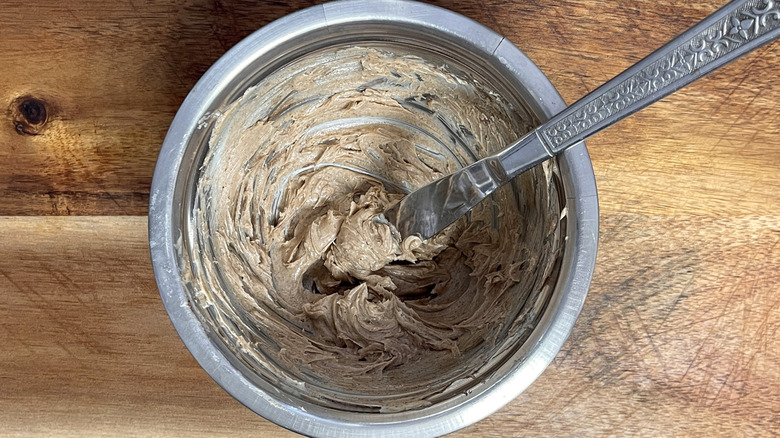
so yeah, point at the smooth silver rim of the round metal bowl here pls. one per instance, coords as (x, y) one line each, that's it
(577, 264)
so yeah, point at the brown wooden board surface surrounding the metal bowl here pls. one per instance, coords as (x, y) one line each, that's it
(679, 335)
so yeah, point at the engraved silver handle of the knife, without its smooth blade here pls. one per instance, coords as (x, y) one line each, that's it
(733, 30)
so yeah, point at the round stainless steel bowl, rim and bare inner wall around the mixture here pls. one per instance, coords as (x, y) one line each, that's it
(359, 21)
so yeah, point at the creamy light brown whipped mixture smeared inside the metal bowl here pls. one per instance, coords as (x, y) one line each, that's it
(293, 266)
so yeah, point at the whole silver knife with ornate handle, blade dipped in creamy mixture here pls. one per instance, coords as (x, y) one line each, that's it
(732, 31)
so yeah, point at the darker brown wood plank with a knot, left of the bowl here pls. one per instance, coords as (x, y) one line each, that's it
(112, 75)
